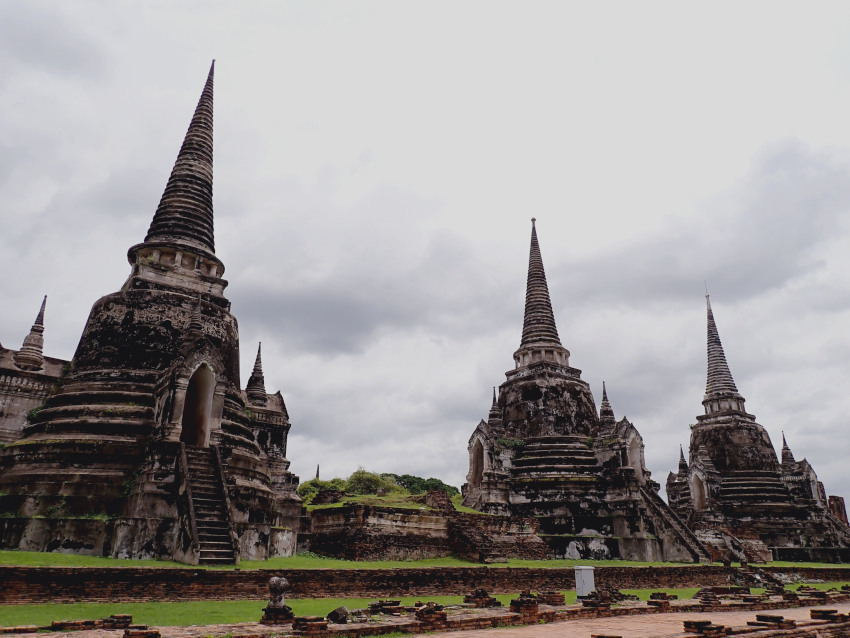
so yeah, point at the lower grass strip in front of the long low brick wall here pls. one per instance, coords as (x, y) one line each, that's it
(227, 611)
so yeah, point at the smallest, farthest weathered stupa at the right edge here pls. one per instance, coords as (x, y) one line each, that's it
(734, 492)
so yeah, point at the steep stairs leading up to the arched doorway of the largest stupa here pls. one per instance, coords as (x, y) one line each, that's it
(214, 540)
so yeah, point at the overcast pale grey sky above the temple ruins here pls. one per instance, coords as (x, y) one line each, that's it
(376, 166)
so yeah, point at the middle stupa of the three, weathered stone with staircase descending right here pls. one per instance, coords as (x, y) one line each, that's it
(544, 452)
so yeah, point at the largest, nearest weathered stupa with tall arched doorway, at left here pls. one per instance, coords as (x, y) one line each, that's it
(144, 445)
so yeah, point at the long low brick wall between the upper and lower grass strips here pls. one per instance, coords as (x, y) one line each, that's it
(69, 584)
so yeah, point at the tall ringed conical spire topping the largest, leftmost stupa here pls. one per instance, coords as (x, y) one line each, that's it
(185, 212)
